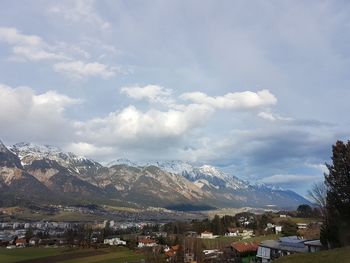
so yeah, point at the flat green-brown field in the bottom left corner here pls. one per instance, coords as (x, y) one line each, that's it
(65, 255)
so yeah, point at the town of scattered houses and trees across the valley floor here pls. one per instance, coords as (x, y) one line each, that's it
(243, 237)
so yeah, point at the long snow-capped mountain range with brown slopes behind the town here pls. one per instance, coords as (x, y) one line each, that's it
(44, 174)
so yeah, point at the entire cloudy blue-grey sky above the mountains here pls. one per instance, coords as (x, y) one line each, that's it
(257, 88)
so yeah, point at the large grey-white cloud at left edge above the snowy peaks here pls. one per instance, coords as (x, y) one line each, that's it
(24, 114)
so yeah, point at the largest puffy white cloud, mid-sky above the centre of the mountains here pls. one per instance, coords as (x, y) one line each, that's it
(131, 125)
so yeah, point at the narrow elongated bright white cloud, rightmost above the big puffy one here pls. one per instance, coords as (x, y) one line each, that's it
(233, 101)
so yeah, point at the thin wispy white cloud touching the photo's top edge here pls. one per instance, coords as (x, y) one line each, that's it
(80, 11)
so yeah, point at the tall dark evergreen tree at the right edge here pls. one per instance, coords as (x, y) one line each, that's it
(336, 230)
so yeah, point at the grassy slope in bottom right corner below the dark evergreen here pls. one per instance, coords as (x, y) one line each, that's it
(339, 255)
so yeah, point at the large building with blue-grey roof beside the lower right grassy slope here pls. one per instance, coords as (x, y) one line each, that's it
(269, 250)
